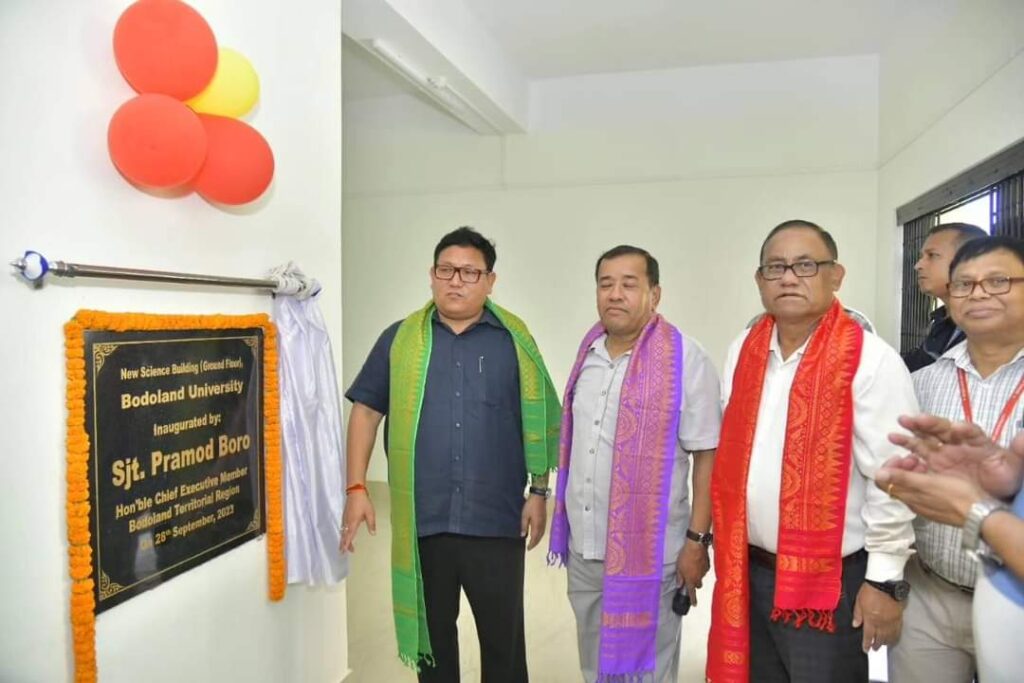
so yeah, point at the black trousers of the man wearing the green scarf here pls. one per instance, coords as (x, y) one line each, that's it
(491, 571)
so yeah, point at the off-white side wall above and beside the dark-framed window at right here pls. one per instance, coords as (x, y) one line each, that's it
(953, 94)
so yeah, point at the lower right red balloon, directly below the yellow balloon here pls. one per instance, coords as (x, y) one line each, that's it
(239, 162)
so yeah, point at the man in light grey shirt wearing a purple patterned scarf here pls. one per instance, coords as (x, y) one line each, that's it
(642, 398)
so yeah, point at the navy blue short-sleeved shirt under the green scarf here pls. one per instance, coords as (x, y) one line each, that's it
(471, 466)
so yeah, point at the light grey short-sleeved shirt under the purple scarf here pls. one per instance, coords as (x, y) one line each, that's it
(595, 414)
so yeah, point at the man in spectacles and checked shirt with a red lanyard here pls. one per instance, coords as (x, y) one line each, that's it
(979, 380)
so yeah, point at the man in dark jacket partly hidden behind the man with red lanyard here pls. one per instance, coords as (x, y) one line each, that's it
(933, 275)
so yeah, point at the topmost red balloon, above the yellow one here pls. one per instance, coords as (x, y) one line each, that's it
(165, 47)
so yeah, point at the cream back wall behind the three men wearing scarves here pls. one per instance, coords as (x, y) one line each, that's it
(696, 165)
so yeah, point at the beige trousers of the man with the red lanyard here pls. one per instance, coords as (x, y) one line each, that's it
(937, 645)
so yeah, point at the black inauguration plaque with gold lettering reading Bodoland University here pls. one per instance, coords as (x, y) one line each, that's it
(176, 424)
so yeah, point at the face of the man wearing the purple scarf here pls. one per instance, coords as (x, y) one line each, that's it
(626, 302)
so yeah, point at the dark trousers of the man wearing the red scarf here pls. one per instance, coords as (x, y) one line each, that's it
(783, 654)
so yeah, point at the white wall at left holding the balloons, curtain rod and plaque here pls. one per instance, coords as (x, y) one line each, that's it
(61, 195)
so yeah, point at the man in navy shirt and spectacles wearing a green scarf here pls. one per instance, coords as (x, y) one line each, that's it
(472, 414)
